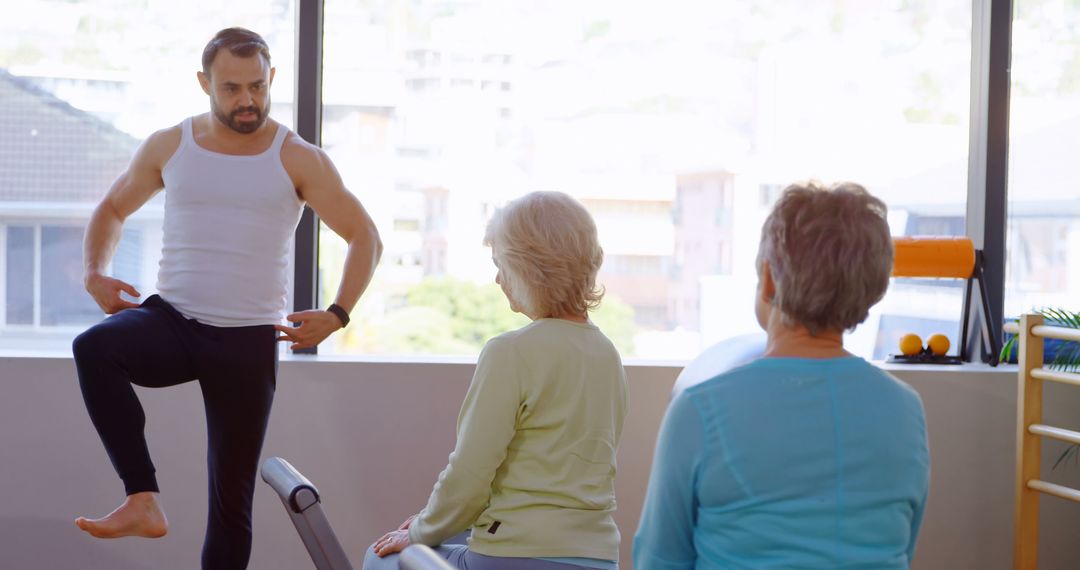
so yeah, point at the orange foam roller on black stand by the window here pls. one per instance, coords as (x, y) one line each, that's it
(931, 256)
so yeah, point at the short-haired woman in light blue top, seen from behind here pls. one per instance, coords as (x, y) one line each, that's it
(808, 457)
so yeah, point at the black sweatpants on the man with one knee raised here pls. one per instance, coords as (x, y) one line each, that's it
(155, 346)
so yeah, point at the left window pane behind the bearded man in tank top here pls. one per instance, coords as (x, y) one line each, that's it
(82, 85)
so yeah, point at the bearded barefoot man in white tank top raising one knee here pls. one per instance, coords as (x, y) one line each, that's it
(236, 183)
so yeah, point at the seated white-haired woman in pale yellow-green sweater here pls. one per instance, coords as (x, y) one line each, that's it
(533, 472)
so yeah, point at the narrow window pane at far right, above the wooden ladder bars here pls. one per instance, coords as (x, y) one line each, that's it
(1044, 234)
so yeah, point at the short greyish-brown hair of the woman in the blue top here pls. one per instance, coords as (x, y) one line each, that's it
(830, 253)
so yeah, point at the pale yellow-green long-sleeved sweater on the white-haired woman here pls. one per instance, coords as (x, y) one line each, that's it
(533, 472)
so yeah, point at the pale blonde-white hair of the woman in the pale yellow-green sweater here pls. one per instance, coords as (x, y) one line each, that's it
(547, 248)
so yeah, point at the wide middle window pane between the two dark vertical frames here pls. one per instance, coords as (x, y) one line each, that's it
(676, 124)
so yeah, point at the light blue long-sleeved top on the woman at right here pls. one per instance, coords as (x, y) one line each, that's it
(792, 464)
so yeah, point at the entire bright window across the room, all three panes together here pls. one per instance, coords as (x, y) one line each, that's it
(676, 124)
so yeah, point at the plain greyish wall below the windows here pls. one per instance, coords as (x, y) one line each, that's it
(373, 437)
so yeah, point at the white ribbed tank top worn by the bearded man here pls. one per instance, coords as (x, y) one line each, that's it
(228, 233)
